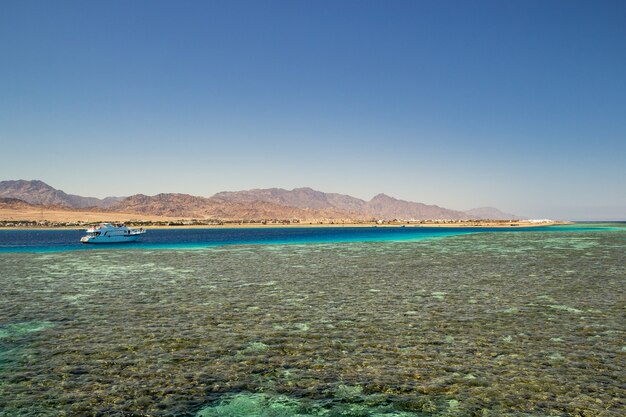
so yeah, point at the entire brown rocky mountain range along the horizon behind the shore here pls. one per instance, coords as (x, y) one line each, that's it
(271, 203)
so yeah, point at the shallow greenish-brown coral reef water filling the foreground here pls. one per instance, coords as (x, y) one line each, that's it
(484, 324)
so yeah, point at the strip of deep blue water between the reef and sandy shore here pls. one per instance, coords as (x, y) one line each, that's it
(69, 240)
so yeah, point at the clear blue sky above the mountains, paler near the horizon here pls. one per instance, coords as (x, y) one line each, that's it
(515, 104)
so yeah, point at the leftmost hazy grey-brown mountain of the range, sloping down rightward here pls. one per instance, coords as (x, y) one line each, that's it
(40, 193)
